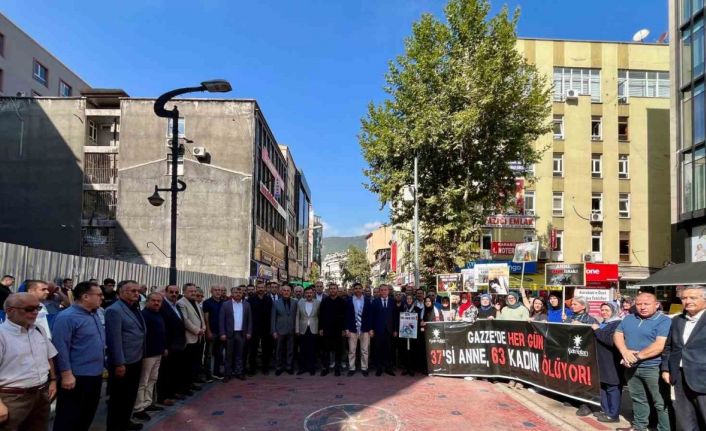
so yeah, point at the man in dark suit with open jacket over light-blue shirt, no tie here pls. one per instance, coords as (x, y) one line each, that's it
(235, 322)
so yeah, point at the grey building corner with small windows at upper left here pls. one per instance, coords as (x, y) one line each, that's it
(27, 69)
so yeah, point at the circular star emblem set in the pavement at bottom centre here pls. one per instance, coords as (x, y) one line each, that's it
(349, 417)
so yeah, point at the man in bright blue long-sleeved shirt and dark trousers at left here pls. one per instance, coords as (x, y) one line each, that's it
(79, 337)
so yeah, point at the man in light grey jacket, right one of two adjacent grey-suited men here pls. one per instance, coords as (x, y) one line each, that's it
(307, 328)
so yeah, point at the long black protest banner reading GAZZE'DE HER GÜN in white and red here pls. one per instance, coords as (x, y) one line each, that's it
(558, 357)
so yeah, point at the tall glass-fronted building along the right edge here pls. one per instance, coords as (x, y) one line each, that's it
(688, 131)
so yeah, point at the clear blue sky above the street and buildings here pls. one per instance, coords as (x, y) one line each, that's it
(312, 65)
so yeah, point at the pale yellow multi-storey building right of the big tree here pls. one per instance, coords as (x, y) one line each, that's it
(600, 192)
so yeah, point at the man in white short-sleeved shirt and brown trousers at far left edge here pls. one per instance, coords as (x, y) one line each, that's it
(27, 376)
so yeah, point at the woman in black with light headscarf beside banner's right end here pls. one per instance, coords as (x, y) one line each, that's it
(608, 364)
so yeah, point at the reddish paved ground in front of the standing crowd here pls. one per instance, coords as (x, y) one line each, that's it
(373, 403)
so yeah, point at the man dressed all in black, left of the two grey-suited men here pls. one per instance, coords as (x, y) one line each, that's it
(261, 310)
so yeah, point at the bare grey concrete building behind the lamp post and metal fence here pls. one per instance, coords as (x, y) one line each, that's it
(75, 179)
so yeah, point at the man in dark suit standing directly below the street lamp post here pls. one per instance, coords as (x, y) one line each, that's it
(170, 382)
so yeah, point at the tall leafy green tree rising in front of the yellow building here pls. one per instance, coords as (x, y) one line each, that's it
(470, 107)
